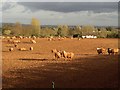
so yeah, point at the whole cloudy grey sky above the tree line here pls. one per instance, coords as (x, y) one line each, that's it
(66, 12)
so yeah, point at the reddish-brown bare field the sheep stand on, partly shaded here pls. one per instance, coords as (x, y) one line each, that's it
(38, 69)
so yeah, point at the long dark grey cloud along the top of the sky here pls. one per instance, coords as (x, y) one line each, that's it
(67, 7)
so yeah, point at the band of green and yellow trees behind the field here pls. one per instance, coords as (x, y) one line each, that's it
(35, 29)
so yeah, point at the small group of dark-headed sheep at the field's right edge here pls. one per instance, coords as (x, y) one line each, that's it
(109, 51)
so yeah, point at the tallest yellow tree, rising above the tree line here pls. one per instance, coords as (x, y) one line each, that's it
(35, 26)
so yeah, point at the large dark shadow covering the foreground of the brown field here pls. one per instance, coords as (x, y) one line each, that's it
(98, 71)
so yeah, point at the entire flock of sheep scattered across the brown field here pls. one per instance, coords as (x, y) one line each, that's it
(58, 54)
